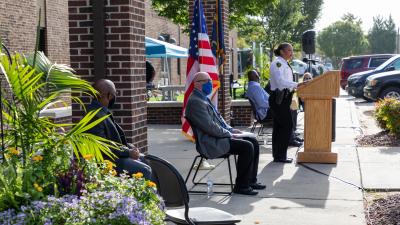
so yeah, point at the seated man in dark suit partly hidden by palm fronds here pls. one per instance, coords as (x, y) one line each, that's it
(128, 158)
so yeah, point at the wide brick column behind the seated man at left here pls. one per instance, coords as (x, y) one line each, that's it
(124, 55)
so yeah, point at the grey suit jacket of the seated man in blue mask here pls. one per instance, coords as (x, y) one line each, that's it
(213, 140)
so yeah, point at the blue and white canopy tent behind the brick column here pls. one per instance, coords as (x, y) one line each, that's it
(161, 49)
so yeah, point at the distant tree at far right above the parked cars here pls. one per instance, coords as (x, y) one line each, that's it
(382, 36)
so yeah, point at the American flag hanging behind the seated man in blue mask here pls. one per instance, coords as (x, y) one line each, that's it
(201, 59)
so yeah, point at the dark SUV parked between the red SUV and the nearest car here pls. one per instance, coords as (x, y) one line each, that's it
(356, 82)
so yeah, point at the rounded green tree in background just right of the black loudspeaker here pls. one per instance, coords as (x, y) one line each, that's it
(343, 38)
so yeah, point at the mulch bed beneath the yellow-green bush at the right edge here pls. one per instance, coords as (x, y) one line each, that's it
(382, 138)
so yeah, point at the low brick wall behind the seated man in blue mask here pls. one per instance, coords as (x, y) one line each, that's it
(169, 113)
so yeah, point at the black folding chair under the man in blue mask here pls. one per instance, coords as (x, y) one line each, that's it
(202, 158)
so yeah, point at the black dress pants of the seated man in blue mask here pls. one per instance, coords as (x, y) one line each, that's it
(248, 152)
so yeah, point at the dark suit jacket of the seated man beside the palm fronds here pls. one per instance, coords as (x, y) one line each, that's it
(108, 129)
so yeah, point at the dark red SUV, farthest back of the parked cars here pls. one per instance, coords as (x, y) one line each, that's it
(355, 64)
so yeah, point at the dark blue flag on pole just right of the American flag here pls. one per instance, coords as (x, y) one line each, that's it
(217, 37)
